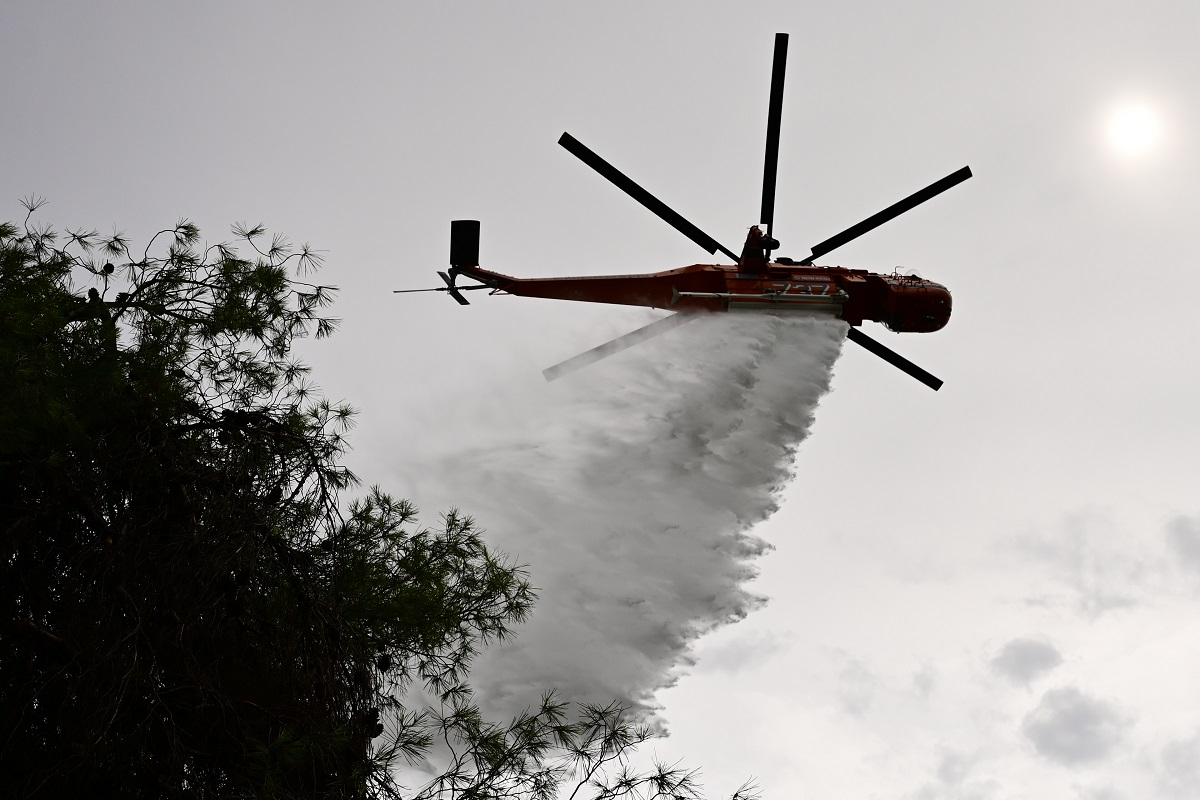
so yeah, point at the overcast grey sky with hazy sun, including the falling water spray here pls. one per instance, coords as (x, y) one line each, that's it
(809, 568)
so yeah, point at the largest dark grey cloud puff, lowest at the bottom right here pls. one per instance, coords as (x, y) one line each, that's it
(1072, 729)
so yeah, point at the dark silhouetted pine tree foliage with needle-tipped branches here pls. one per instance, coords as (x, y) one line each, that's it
(190, 607)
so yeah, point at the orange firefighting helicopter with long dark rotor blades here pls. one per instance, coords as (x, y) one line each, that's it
(757, 282)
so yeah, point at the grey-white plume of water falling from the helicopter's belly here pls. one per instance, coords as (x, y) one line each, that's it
(631, 490)
